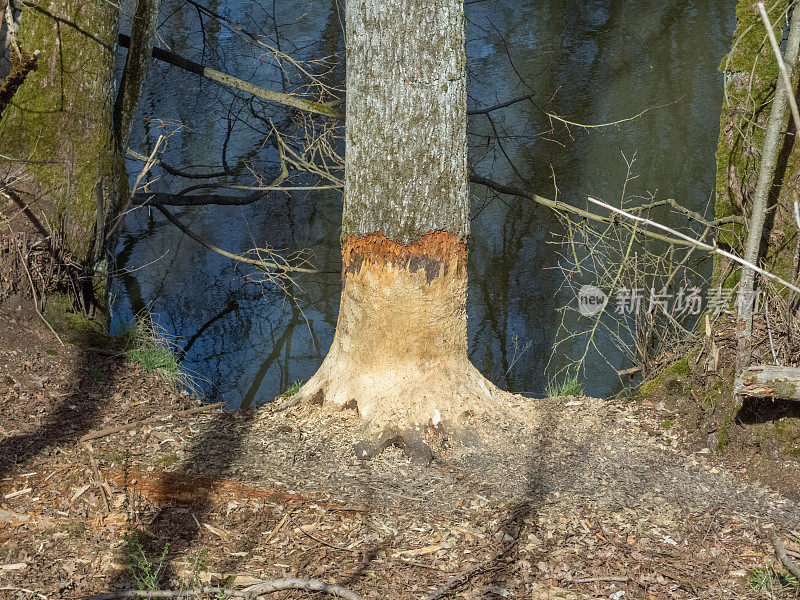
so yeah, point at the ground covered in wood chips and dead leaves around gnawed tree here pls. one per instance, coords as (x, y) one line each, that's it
(107, 473)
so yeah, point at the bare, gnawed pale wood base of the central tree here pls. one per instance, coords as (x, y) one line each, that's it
(399, 356)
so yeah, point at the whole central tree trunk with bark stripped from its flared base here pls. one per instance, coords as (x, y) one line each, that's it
(399, 355)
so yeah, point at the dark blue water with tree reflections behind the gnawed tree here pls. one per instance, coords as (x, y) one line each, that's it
(591, 62)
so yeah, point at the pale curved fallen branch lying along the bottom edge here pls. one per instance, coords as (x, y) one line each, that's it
(258, 589)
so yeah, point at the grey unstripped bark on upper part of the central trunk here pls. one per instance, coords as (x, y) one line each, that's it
(406, 160)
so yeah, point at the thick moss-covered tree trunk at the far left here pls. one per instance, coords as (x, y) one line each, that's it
(58, 125)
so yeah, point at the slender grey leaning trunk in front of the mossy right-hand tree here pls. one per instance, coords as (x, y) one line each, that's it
(769, 156)
